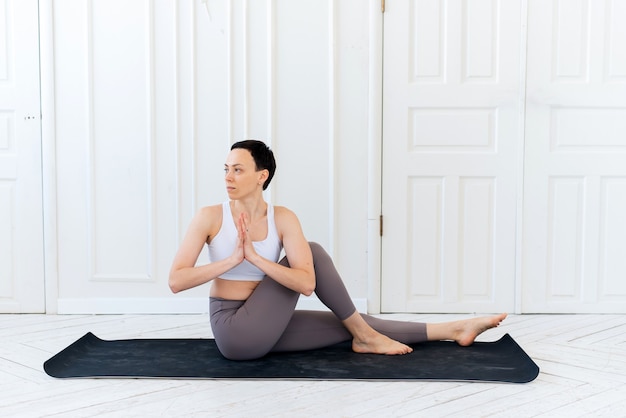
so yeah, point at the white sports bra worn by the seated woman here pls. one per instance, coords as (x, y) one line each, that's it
(224, 242)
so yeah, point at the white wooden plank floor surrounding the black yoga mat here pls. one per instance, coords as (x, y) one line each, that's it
(582, 360)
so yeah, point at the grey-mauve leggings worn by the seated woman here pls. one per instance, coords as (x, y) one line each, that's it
(268, 321)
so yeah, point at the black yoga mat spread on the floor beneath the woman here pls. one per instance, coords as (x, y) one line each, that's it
(502, 361)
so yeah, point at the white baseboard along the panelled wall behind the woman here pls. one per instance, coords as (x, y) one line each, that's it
(174, 305)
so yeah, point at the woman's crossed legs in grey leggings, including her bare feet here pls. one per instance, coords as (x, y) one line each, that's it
(267, 321)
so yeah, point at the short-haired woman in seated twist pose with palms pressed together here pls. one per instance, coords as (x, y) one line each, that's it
(253, 296)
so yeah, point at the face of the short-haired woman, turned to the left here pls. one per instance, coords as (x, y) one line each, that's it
(240, 174)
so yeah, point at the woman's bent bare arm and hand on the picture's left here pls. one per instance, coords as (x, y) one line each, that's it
(184, 274)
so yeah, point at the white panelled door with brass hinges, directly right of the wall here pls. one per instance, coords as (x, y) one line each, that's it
(451, 132)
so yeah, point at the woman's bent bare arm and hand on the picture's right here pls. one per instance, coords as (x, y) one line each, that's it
(300, 275)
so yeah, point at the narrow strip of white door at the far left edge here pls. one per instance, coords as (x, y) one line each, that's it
(21, 228)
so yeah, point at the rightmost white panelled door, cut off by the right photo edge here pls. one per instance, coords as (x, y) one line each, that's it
(574, 252)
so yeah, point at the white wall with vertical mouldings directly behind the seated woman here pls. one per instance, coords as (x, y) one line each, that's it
(147, 97)
